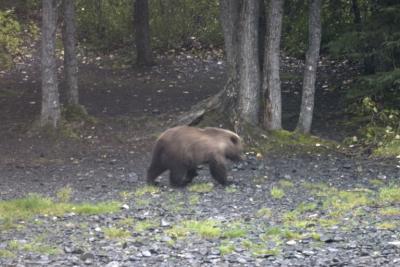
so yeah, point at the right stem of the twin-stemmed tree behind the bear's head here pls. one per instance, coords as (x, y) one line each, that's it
(249, 70)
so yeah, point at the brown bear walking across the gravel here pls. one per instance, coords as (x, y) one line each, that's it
(181, 149)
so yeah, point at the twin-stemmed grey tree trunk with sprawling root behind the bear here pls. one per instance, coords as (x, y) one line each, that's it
(240, 98)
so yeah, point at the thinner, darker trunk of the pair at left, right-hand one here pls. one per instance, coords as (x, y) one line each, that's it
(70, 61)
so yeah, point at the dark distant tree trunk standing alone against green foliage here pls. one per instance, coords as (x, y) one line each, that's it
(142, 33)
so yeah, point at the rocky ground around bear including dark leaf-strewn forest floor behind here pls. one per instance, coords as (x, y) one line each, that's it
(299, 206)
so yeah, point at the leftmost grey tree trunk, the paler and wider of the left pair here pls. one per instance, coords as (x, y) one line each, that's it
(50, 113)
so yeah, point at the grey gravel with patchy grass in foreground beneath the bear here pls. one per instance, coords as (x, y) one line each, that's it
(152, 221)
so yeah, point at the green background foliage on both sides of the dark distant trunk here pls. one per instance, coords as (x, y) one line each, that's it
(108, 24)
